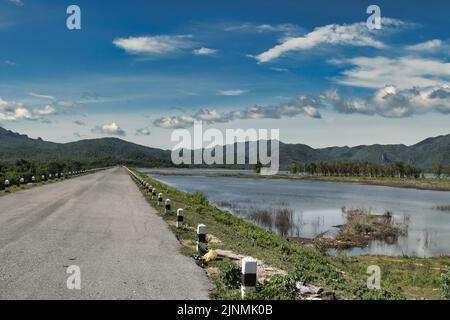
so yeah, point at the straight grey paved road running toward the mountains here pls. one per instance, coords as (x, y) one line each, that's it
(102, 224)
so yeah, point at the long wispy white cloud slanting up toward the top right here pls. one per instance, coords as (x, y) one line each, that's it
(356, 34)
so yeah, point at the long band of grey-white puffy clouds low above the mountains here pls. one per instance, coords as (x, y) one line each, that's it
(389, 102)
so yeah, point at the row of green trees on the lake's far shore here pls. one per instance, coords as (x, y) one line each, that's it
(363, 169)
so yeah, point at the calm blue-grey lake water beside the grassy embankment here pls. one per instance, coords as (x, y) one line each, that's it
(318, 206)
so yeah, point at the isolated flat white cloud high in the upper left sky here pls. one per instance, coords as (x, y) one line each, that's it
(155, 45)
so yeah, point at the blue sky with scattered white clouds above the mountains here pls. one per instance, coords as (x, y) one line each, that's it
(138, 70)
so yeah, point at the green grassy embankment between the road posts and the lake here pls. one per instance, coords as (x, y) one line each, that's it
(402, 277)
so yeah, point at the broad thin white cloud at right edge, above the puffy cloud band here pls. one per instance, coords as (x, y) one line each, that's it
(404, 72)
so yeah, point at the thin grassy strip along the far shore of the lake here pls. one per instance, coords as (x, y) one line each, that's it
(421, 183)
